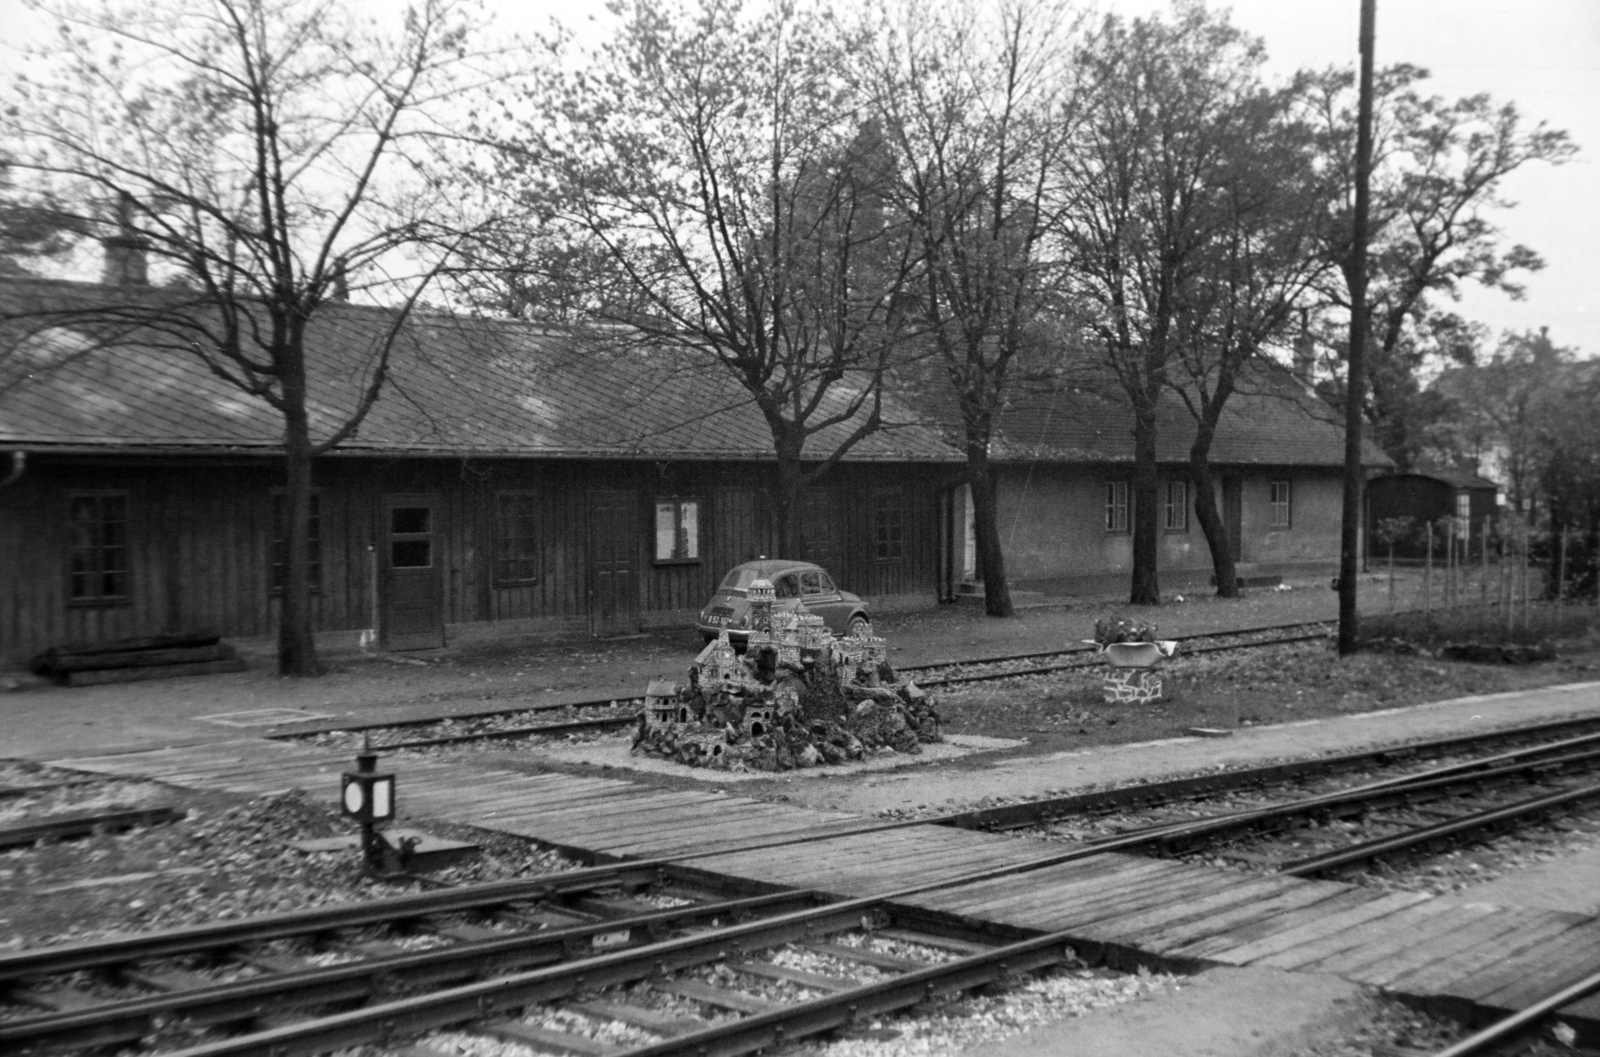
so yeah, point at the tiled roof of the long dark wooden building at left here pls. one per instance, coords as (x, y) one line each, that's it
(458, 386)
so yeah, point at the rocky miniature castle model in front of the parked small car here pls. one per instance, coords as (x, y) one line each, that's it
(798, 698)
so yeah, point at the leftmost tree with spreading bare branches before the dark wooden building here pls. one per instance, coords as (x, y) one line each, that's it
(262, 156)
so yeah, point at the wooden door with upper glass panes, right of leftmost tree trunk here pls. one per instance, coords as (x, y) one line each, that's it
(414, 591)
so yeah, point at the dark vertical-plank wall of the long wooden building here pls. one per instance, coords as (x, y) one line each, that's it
(201, 538)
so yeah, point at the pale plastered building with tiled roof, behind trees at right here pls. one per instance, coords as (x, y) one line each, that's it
(1065, 463)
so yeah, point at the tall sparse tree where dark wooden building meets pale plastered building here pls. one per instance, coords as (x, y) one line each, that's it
(978, 108)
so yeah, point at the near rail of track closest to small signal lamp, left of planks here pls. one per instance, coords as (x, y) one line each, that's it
(132, 1019)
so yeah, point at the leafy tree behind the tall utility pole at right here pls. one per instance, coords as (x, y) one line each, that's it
(1438, 174)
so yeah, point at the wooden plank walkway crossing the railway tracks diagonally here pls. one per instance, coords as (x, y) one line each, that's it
(1460, 959)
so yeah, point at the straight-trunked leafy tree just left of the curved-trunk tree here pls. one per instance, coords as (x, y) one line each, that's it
(1151, 207)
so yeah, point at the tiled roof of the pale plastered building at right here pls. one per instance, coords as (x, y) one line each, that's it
(1270, 421)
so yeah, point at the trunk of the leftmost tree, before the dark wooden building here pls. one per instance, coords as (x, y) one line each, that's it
(297, 645)
